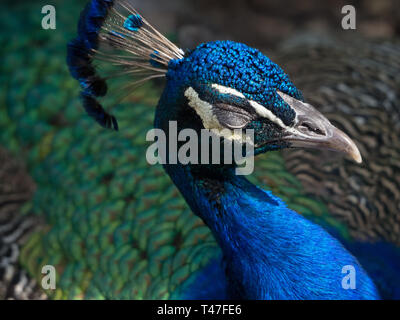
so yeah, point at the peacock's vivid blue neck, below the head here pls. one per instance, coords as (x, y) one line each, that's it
(270, 251)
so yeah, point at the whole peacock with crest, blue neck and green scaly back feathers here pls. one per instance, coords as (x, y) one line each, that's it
(116, 228)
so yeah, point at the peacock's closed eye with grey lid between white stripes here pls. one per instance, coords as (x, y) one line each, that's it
(230, 116)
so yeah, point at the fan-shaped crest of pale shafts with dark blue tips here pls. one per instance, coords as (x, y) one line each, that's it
(112, 32)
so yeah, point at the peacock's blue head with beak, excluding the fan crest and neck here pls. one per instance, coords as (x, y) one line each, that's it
(225, 86)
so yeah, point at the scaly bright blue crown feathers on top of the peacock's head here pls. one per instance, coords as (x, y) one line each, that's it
(240, 67)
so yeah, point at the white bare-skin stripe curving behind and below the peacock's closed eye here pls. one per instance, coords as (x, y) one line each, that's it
(210, 121)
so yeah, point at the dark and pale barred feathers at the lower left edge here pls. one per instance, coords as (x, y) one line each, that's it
(16, 188)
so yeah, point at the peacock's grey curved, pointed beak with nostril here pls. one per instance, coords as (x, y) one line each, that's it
(313, 130)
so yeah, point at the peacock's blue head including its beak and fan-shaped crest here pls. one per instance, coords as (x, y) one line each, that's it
(221, 86)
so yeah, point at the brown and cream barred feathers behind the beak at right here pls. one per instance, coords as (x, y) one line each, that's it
(358, 90)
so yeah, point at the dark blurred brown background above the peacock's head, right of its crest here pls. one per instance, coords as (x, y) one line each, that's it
(264, 23)
